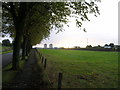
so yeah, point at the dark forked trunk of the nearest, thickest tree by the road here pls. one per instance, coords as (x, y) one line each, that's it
(19, 22)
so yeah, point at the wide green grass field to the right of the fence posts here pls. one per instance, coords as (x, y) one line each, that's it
(82, 69)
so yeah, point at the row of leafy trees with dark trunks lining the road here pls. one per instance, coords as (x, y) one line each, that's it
(30, 22)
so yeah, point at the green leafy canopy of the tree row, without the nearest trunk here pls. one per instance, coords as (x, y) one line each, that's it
(41, 17)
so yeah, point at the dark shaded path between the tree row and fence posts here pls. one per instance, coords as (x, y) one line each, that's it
(31, 76)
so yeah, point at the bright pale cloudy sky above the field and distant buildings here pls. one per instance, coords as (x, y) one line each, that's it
(100, 30)
